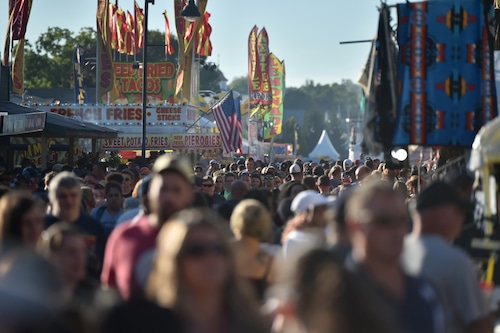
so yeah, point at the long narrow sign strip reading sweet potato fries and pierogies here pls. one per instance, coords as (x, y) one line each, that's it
(164, 142)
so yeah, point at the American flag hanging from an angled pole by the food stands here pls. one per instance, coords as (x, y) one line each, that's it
(228, 117)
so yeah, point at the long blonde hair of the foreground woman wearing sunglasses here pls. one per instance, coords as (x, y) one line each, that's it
(165, 285)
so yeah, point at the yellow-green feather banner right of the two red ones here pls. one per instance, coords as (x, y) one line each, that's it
(277, 79)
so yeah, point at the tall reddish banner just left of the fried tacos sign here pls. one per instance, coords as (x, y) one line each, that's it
(105, 75)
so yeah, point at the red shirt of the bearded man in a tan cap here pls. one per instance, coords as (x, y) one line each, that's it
(128, 257)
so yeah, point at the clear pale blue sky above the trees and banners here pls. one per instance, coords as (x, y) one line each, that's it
(306, 34)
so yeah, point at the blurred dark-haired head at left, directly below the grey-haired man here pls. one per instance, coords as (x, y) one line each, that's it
(64, 245)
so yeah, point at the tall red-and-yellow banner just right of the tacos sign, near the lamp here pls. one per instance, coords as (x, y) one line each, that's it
(186, 62)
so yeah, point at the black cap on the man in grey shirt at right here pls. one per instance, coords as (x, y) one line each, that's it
(438, 194)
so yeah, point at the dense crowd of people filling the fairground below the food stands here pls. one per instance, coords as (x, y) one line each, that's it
(344, 246)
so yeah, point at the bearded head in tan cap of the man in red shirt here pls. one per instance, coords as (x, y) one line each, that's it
(170, 189)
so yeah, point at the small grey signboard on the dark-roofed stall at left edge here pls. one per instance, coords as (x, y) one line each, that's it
(24, 123)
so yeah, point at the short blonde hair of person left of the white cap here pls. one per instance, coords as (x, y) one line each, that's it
(251, 218)
